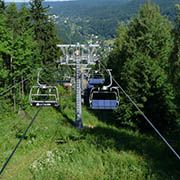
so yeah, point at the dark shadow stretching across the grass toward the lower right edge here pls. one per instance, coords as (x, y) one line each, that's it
(159, 158)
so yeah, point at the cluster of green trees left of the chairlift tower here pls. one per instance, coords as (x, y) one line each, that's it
(28, 41)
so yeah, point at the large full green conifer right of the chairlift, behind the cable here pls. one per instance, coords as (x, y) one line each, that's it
(142, 51)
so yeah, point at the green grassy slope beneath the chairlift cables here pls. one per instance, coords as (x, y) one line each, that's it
(53, 149)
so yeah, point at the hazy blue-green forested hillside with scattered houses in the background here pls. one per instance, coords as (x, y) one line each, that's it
(99, 17)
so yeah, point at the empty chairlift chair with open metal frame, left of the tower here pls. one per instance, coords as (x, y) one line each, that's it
(43, 95)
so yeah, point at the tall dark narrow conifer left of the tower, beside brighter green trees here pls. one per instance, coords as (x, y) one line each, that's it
(45, 33)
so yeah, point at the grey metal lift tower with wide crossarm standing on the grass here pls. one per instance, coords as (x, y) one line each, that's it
(80, 56)
